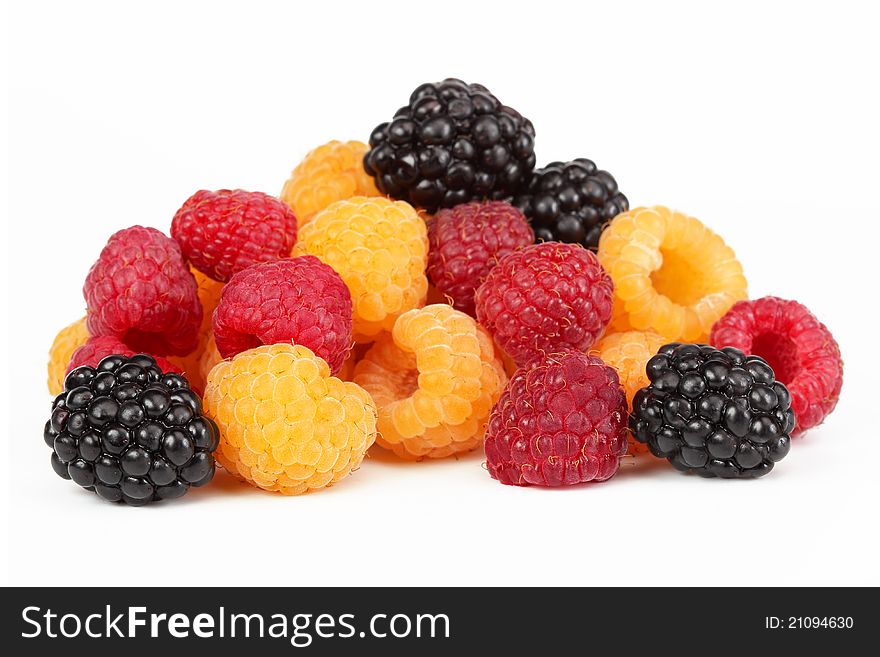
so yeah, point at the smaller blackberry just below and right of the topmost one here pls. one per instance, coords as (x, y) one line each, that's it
(571, 202)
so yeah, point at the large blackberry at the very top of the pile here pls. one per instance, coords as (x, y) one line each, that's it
(453, 143)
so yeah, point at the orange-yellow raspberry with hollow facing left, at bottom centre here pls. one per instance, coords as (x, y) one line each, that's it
(434, 379)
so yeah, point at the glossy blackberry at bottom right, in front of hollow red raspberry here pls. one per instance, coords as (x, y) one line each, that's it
(716, 412)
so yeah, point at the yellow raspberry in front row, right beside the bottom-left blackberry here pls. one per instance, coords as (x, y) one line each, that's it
(286, 425)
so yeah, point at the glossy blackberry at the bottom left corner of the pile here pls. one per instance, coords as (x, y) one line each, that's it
(130, 433)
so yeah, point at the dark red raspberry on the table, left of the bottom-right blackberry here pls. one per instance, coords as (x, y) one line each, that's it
(559, 422)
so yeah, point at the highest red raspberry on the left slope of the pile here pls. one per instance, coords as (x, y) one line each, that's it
(223, 232)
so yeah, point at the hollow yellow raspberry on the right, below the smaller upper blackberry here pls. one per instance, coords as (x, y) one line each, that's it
(671, 274)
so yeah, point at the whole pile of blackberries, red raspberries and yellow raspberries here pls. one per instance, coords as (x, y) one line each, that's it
(431, 292)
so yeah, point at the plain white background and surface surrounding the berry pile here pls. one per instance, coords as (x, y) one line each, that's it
(759, 118)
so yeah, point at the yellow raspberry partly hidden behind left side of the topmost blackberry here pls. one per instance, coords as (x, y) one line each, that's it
(332, 172)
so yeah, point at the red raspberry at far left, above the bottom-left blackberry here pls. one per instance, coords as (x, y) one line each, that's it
(141, 291)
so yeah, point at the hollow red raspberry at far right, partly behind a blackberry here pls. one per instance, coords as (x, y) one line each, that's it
(800, 349)
